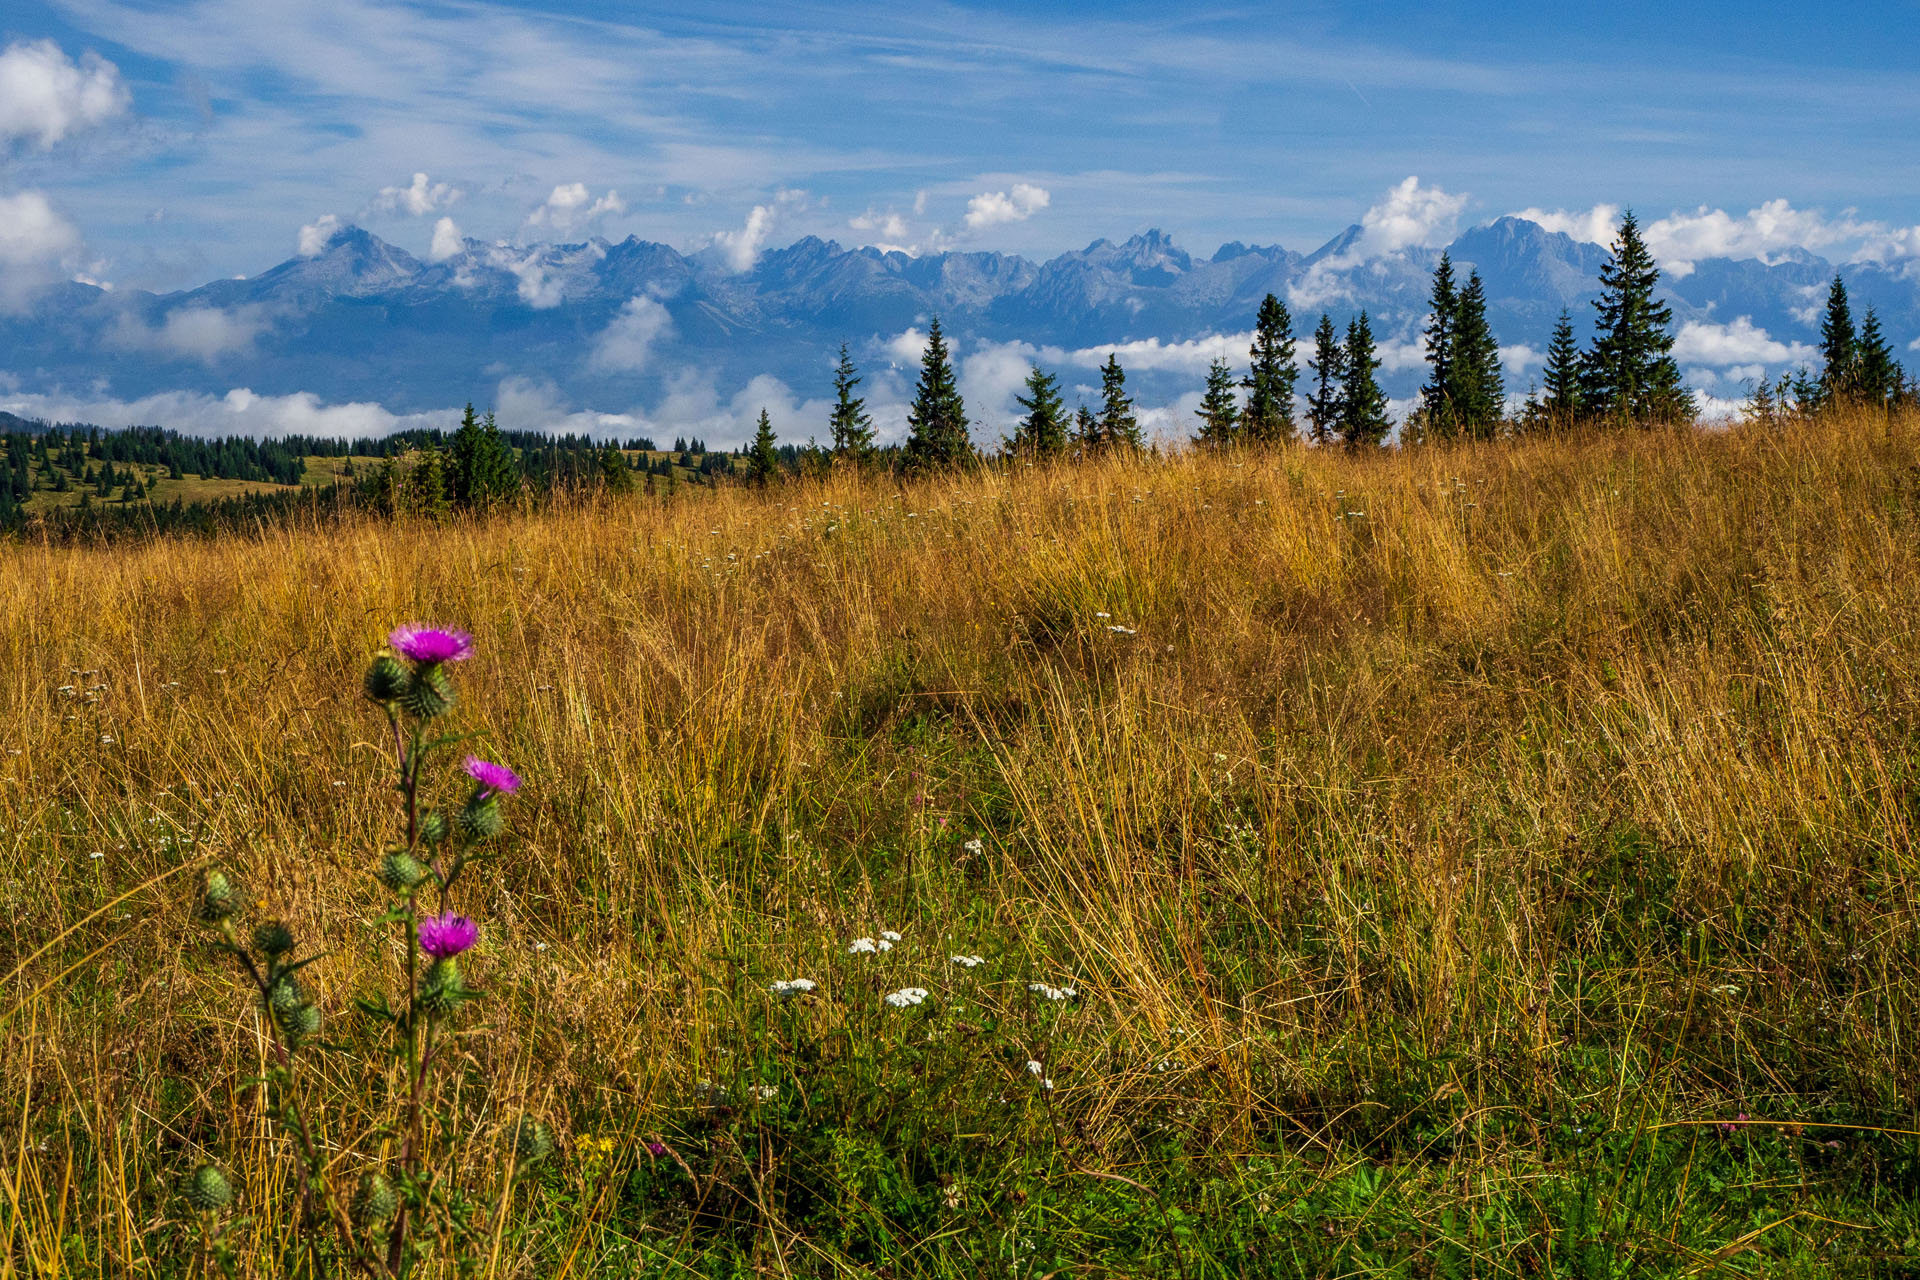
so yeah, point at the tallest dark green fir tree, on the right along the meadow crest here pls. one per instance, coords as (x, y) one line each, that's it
(1629, 375)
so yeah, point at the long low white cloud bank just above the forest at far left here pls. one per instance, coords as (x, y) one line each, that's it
(237, 414)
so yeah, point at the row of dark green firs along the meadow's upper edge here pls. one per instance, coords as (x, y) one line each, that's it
(1625, 377)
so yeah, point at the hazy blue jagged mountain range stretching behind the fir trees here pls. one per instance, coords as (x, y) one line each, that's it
(619, 327)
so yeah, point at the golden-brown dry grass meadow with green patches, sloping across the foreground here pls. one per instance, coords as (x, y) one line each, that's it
(1487, 861)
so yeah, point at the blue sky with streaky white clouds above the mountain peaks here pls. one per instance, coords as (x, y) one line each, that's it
(162, 145)
